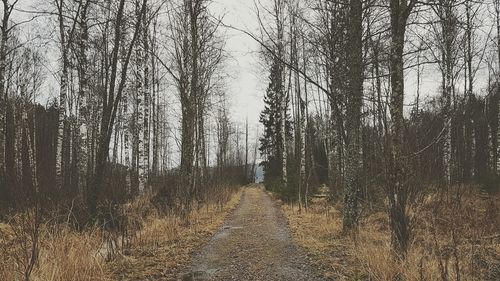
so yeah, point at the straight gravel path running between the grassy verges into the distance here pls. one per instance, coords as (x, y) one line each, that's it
(254, 244)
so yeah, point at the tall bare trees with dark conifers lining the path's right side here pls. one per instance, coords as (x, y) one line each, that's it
(351, 103)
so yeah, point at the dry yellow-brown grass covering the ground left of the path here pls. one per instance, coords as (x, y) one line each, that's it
(154, 246)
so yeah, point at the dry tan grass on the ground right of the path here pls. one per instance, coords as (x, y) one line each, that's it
(449, 238)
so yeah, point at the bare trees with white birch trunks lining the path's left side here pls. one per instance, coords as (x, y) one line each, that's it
(127, 74)
